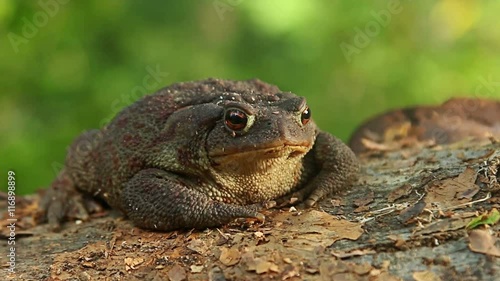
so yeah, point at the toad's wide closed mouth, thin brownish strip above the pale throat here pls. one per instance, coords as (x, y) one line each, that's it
(286, 151)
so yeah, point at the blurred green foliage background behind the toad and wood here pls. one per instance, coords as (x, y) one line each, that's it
(68, 65)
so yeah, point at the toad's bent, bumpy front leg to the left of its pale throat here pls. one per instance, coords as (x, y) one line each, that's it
(161, 200)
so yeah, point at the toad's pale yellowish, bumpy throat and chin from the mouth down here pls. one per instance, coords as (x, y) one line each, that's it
(257, 175)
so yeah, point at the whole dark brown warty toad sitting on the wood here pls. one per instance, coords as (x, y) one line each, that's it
(199, 154)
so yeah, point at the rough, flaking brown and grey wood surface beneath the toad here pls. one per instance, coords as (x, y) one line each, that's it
(384, 228)
